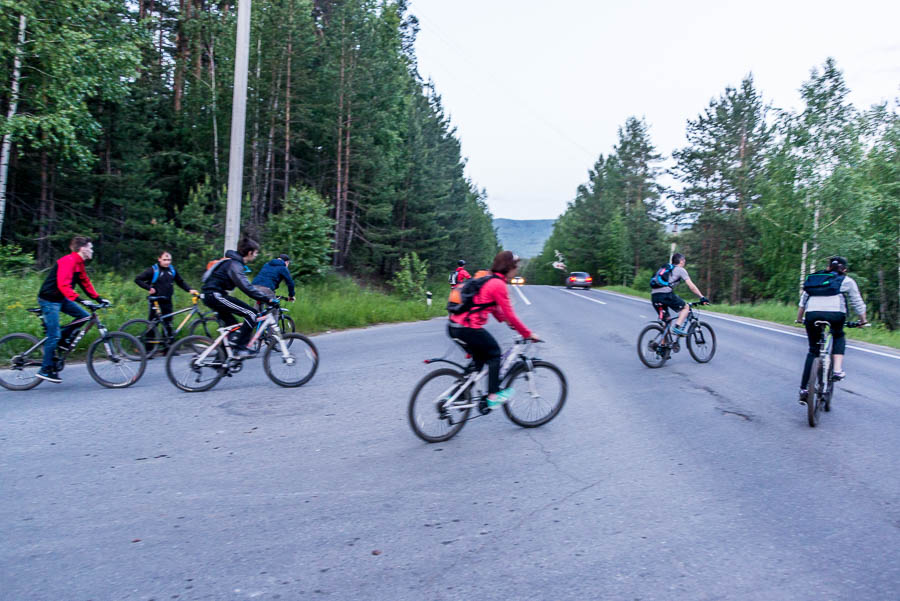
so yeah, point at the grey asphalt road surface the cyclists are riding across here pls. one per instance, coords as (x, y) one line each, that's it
(688, 482)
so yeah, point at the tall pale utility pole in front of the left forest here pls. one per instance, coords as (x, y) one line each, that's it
(238, 123)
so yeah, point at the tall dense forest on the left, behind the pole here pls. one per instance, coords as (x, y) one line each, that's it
(116, 118)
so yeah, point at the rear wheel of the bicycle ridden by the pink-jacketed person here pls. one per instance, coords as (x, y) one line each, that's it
(429, 417)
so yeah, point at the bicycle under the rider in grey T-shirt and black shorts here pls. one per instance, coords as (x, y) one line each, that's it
(656, 342)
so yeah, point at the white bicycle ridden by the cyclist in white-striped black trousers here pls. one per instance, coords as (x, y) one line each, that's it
(197, 363)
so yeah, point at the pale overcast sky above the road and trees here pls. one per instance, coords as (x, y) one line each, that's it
(538, 89)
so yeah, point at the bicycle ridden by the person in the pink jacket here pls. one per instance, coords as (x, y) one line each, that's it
(447, 396)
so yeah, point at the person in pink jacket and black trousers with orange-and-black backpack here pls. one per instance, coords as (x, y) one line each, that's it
(493, 298)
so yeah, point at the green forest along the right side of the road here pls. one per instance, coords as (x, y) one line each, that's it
(758, 196)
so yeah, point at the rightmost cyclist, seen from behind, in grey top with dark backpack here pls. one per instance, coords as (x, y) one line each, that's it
(828, 303)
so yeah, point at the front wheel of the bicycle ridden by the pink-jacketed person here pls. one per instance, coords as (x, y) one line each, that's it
(538, 395)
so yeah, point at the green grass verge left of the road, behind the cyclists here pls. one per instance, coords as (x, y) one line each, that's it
(334, 303)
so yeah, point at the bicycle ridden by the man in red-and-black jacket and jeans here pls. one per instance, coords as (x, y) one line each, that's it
(114, 360)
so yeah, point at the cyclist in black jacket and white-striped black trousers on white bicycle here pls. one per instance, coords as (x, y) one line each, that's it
(225, 276)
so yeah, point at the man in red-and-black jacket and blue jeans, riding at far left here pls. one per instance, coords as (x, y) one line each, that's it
(58, 294)
